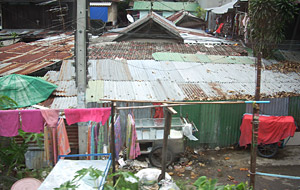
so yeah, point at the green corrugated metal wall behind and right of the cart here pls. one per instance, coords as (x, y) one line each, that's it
(218, 124)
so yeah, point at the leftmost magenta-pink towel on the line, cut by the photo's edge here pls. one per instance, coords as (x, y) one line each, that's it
(9, 123)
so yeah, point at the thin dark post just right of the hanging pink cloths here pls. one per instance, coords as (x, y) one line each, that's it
(112, 141)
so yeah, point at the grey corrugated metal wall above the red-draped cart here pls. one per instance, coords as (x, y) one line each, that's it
(277, 106)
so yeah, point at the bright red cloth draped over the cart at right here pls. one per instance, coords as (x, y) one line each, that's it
(271, 129)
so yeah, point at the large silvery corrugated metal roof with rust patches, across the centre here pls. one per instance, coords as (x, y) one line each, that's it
(167, 81)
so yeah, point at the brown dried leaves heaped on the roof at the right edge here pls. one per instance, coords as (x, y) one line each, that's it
(285, 67)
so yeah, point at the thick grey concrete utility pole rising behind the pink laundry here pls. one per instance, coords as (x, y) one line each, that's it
(81, 62)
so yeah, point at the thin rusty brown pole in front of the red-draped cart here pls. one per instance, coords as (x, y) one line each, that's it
(255, 124)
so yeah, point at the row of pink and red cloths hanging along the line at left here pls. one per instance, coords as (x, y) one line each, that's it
(32, 120)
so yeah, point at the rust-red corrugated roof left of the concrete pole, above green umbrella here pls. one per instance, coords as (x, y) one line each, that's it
(26, 58)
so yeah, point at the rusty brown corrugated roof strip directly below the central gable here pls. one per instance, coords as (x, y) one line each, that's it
(144, 50)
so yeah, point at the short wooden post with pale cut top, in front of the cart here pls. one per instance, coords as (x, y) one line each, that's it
(167, 128)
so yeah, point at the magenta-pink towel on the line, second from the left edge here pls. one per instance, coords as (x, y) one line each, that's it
(32, 121)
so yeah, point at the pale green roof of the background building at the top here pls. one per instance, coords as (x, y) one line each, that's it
(165, 6)
